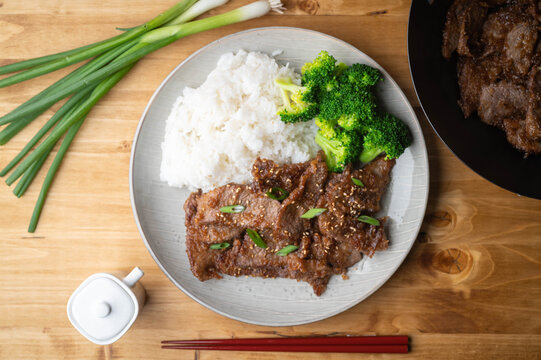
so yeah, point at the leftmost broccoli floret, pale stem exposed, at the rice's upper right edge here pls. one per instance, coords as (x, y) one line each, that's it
(296, 106)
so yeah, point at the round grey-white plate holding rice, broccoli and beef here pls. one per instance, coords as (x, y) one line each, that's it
(274, 302)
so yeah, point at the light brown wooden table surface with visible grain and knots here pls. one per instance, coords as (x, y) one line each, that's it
(470, 288)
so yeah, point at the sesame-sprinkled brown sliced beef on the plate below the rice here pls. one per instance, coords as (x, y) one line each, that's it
(322, 251)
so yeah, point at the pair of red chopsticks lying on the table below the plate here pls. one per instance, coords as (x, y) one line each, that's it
(336, 344)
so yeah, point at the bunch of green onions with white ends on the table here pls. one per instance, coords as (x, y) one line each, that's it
(112, 60)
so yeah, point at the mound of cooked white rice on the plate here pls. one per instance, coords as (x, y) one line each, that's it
(215, 132)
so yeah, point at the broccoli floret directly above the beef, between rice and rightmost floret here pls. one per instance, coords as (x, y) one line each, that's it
(341, 149)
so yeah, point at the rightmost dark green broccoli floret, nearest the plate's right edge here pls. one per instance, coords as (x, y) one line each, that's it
(386, 134)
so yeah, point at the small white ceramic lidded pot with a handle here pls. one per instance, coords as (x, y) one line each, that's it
(104, 307)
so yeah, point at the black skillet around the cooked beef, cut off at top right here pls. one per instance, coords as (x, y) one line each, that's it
(481, 147)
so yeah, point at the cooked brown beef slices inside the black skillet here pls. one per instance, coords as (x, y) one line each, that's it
(498, 70)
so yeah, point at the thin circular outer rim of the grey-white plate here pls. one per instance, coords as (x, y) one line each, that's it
(136, 213)
